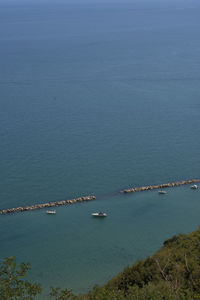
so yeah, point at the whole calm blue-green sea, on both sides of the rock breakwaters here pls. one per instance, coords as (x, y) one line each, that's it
(96, 97)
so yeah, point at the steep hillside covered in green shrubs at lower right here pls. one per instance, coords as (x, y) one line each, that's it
(171, 273)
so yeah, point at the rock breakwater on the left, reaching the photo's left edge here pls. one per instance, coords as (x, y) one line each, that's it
(46, 205)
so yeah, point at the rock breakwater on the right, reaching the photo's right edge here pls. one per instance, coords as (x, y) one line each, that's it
(160, 186)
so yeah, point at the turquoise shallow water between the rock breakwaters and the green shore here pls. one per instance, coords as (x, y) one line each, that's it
(74, 250)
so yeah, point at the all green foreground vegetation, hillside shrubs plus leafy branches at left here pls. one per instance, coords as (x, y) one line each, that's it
(172, 273)
